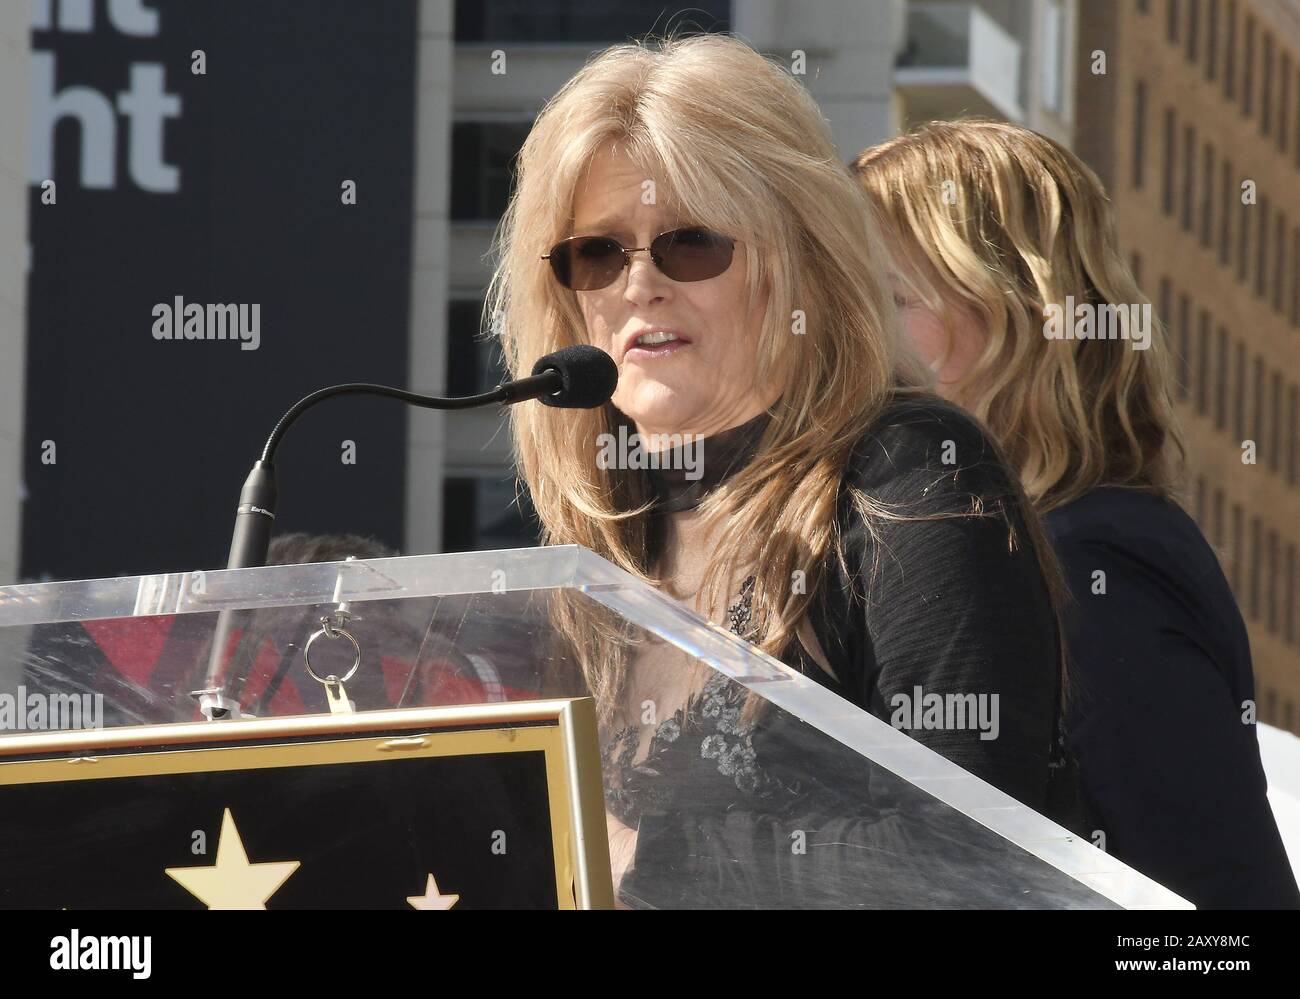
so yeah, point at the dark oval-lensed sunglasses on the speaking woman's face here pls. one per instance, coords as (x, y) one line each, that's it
(588, 263)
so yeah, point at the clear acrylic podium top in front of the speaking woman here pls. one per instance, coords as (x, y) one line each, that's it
(870, 819)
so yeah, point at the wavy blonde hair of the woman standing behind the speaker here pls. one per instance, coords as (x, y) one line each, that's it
(1002, 223)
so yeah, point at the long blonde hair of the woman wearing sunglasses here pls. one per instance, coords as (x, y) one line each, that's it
(738, 145)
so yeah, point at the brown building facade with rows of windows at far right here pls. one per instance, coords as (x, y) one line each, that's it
(1195, 129)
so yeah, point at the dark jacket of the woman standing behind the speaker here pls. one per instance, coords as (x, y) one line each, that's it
(1168, 754)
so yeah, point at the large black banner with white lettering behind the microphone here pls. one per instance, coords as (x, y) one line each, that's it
(228, 228)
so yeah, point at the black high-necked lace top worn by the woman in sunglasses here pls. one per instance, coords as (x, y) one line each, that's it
(946, 598)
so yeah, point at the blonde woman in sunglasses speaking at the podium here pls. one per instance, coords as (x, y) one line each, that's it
(682, 206)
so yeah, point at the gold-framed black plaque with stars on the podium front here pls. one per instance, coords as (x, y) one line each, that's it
(495, 806)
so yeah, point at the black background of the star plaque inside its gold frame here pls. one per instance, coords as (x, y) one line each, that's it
(365, 834)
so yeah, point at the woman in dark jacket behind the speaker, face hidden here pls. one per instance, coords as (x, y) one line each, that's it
(1007, 273)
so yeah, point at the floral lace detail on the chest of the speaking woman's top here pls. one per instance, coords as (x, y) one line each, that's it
(712, 720)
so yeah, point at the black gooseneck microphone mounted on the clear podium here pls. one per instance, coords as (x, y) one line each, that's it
(580, 378)
